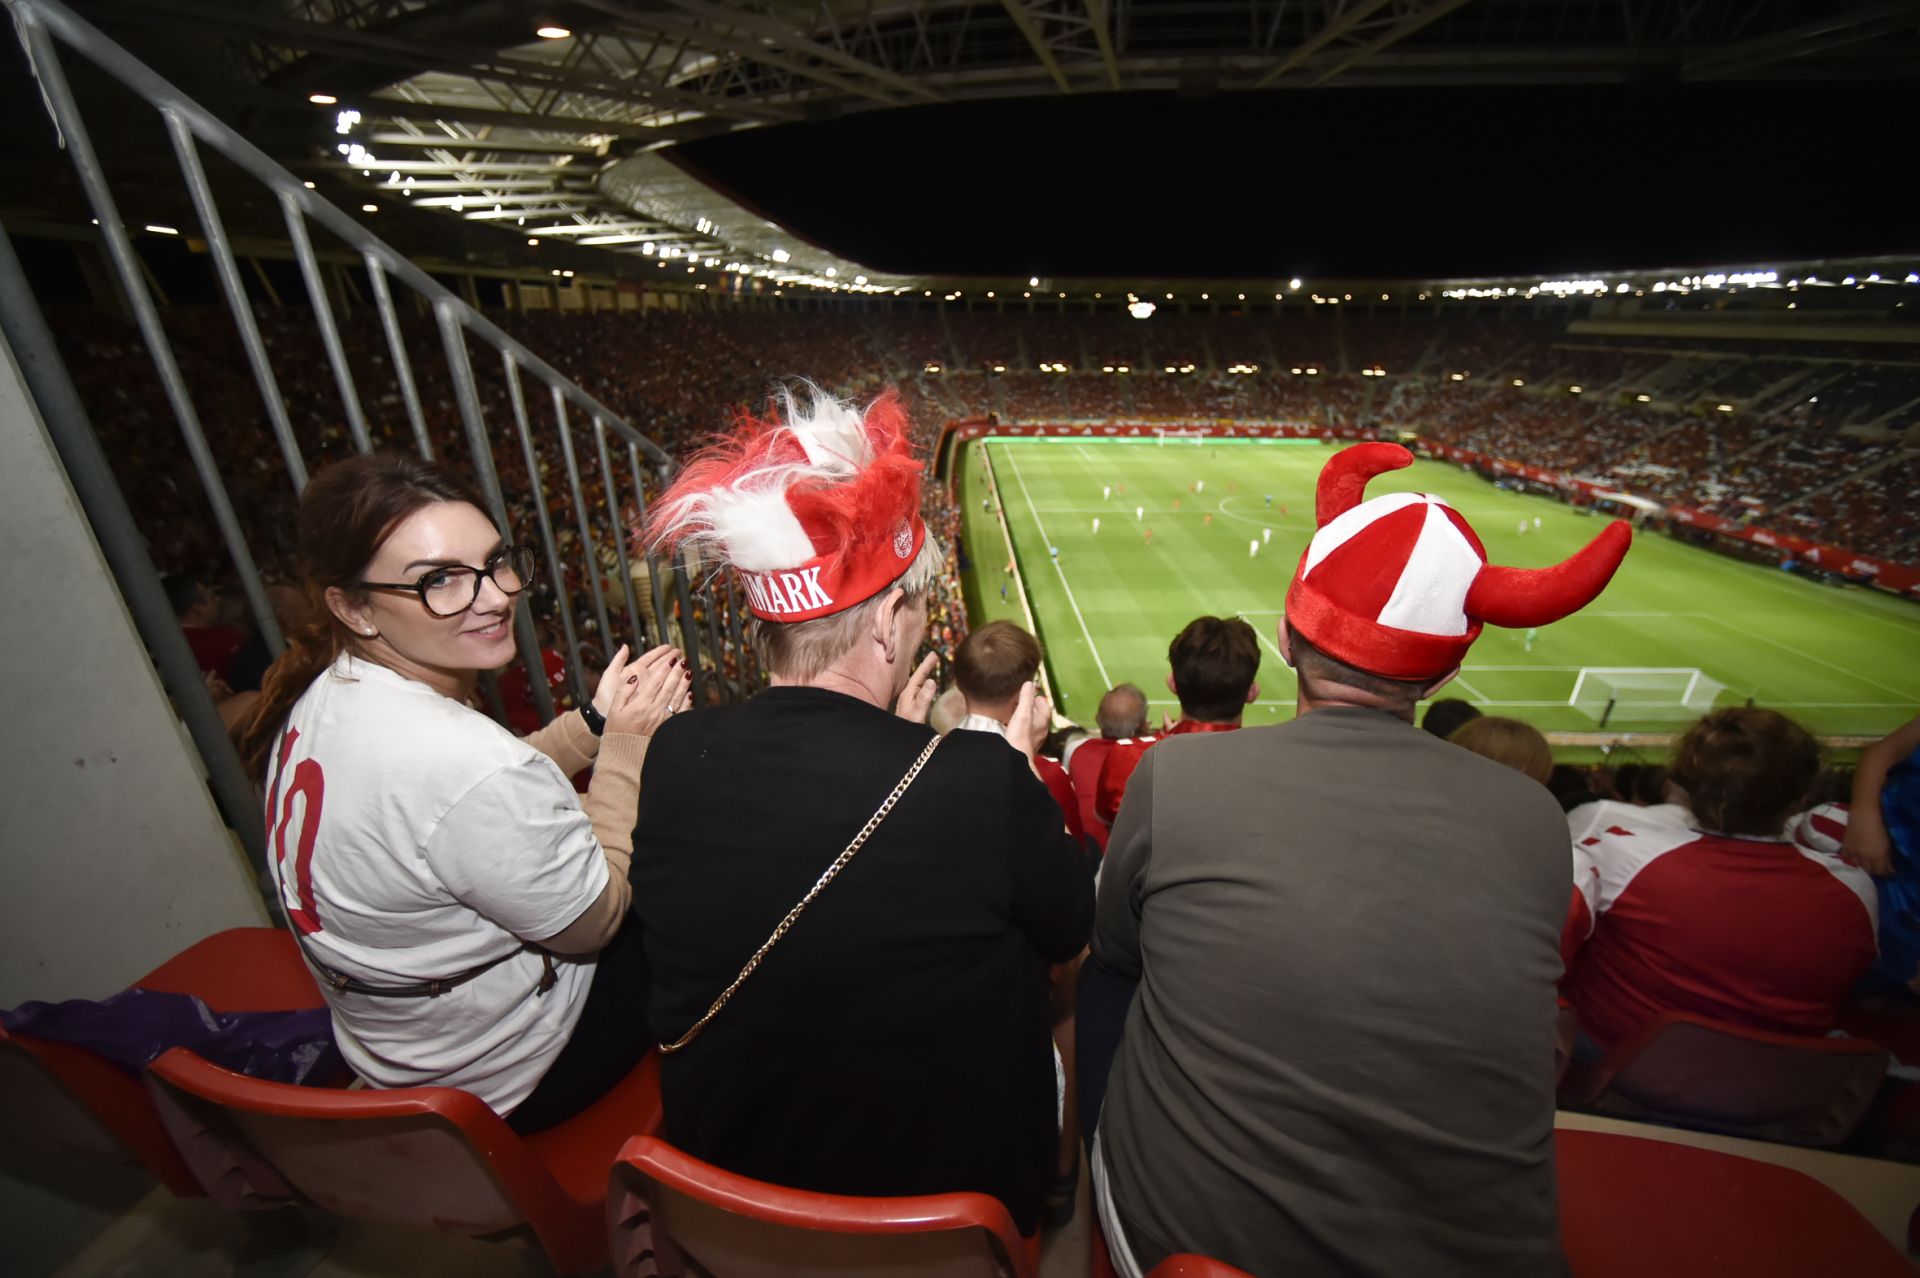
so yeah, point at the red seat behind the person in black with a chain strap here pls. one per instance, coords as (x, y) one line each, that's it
(696, 1218)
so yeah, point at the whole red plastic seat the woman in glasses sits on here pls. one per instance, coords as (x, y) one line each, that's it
(437, 1158)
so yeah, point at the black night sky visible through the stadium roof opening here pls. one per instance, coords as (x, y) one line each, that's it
(1366, 183)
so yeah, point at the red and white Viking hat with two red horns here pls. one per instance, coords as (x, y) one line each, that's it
(1399, 586)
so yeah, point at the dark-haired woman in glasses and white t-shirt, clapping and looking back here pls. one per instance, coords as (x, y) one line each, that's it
(456, 899)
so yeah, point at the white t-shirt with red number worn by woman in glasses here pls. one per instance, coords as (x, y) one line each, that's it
(414, 840)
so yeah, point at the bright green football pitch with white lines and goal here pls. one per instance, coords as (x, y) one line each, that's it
(1844, 661)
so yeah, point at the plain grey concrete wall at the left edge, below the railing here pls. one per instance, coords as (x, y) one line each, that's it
(112, 855)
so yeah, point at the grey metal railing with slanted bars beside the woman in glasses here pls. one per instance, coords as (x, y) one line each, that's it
(619, 461)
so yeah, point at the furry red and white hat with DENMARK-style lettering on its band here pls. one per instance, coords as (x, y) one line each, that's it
(815, 506)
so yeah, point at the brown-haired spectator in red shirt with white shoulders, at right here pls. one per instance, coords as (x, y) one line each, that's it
(1716, 911)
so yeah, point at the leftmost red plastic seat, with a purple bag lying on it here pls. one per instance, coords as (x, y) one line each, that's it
(68, 1099)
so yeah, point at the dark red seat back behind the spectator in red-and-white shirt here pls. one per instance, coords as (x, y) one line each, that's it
(1692, 1072)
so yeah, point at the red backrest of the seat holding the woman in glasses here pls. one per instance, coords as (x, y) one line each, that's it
(435, 1158)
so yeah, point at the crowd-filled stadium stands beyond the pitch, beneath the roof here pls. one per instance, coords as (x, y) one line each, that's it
(1813, 438)
